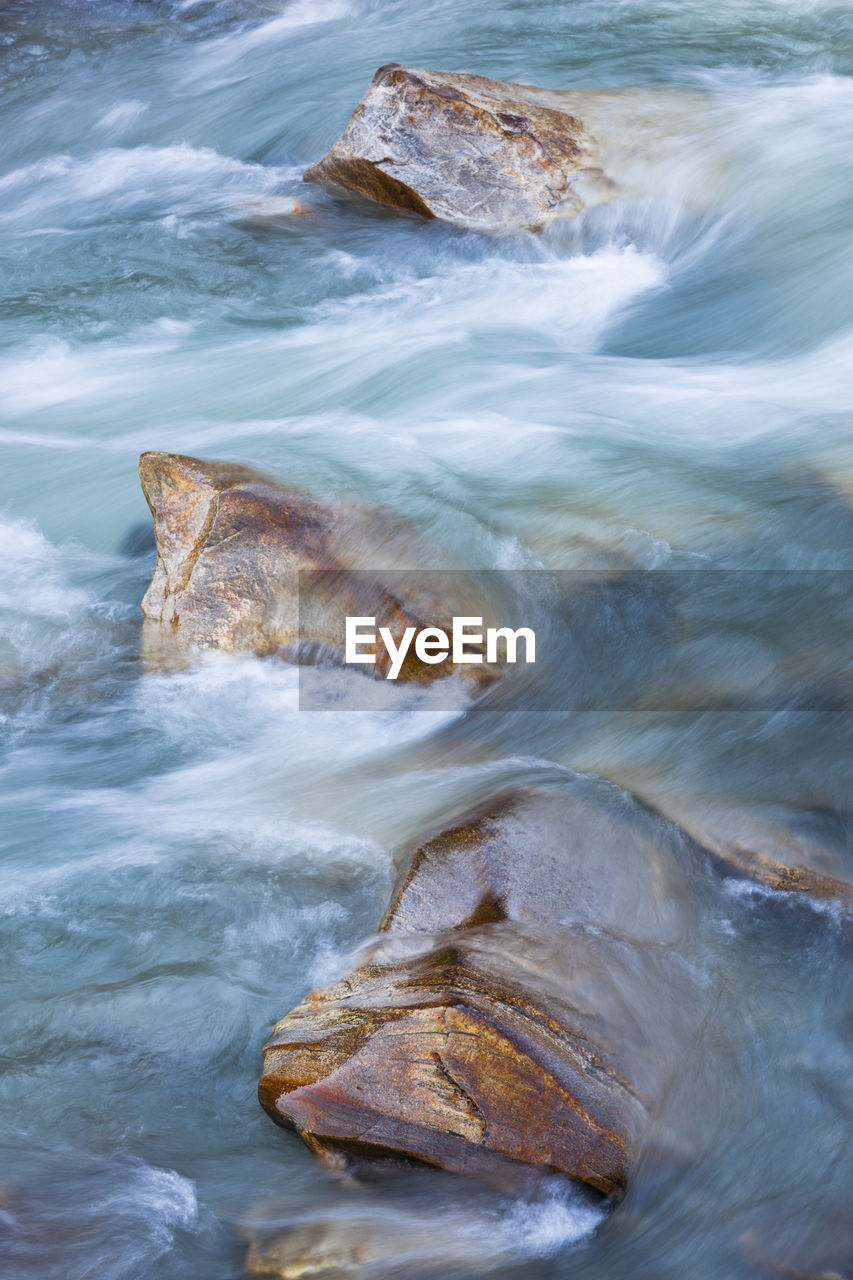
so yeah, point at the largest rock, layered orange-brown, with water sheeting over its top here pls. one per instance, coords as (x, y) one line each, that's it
(499, 1022)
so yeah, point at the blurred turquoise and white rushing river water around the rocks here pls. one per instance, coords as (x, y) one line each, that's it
(185, 854)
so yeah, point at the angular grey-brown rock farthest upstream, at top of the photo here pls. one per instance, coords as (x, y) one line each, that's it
(490, 156)
